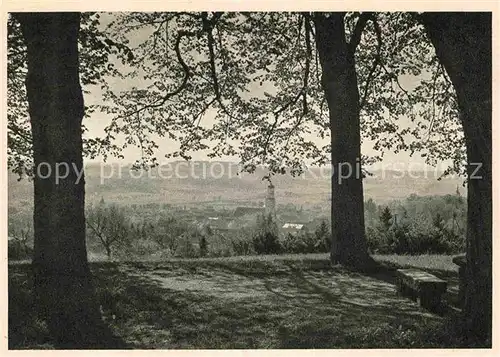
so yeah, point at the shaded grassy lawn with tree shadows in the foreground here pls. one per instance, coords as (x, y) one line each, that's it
(295, 301)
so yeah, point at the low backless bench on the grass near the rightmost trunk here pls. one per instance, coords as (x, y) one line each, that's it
(419, 284)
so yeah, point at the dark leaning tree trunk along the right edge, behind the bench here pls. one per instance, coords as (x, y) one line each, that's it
(463, 45)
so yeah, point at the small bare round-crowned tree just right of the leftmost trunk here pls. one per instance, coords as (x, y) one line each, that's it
(109, 225)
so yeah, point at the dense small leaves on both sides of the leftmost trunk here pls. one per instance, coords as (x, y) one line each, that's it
(96, 66)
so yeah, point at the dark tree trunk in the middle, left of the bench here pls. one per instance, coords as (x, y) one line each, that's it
(339, 83)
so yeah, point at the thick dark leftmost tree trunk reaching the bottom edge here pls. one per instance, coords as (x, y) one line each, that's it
(62, 280)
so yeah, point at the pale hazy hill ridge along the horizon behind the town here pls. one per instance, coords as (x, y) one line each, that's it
(220, 183)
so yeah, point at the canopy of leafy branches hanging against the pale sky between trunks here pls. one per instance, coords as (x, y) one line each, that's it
(249, 85)
